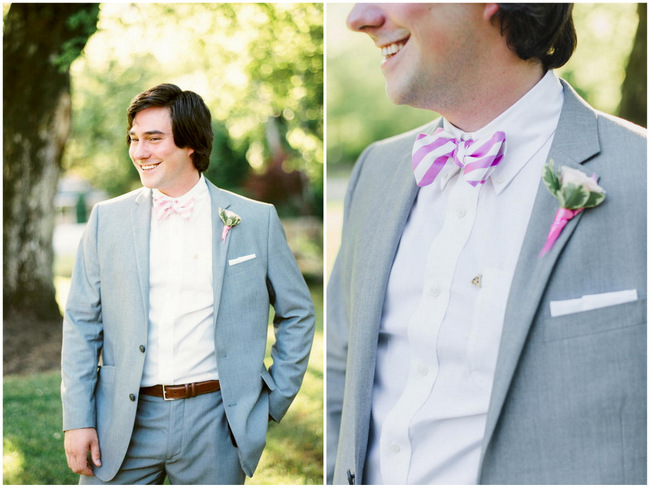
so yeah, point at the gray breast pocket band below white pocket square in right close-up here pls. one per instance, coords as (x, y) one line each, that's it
(604, 319)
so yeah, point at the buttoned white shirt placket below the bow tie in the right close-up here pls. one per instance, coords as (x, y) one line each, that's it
(424, 327)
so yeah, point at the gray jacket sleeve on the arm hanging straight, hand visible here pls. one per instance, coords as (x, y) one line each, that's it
(82, 334)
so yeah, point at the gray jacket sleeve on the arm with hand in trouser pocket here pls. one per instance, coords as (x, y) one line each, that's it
(293, 321)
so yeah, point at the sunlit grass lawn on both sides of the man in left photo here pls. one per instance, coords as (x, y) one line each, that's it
(33, 441)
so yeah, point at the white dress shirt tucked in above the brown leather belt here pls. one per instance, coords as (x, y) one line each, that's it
(180, 345)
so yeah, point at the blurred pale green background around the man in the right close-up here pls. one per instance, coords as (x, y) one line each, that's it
(608, 69)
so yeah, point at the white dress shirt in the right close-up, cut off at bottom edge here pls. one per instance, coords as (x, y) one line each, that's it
(440, 333)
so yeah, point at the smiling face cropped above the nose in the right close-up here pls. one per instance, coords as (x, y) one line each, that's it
(428, 49)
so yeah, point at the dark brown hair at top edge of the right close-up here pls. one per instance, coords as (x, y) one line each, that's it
(543, 31)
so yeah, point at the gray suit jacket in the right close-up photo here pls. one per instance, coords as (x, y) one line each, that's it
(568, 403)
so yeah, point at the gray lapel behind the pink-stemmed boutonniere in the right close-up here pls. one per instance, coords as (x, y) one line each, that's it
(575, 141)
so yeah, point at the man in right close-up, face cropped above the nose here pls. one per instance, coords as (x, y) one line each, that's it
(450, 360)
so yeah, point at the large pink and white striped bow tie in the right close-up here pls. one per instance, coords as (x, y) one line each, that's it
(433, 153)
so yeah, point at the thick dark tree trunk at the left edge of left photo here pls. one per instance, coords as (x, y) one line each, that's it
(40, 42)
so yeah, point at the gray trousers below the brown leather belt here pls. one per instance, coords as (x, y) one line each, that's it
(188, 441)
